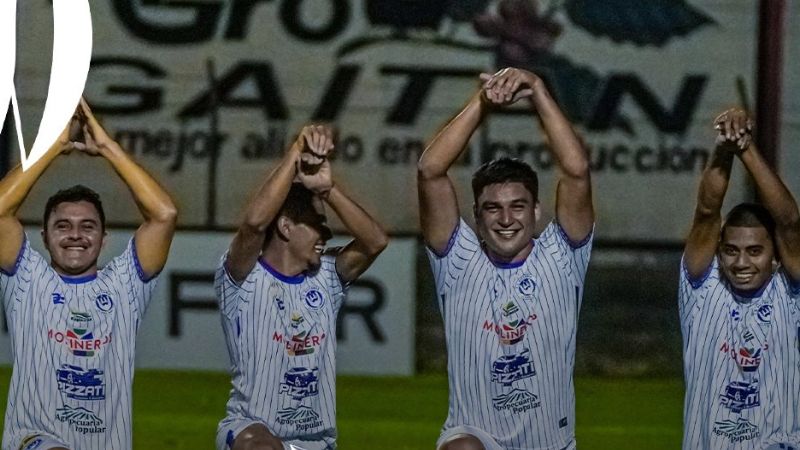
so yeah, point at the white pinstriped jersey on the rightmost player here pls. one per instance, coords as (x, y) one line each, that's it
(734, 369)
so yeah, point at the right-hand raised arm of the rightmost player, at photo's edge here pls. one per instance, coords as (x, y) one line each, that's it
(781, 205)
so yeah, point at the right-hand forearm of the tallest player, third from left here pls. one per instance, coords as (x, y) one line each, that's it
(567, 148)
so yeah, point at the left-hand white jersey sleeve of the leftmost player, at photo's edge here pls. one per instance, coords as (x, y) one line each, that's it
(30, 265)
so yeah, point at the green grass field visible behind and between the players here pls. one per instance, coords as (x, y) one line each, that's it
(180, 410)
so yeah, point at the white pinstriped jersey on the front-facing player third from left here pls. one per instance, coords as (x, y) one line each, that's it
(510, 332)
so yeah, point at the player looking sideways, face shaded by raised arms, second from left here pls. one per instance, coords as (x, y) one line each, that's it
(280, 292)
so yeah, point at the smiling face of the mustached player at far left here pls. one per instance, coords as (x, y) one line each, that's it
(74, 238)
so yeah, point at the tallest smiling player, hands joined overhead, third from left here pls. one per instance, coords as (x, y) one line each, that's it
(509, 300)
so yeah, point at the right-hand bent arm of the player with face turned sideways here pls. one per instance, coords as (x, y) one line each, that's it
(369, 239)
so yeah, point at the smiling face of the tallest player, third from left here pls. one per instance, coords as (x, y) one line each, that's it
(505, 216)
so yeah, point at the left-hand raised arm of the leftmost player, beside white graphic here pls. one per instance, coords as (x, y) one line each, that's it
(14, 188)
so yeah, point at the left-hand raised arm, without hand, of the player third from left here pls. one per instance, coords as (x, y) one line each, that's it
(437, 197)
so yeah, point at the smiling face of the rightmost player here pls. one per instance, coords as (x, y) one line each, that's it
(746, 256)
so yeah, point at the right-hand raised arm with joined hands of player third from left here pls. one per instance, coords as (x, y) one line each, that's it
(574, 209)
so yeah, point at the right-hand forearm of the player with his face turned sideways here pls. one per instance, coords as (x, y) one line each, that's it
(364, 229)
